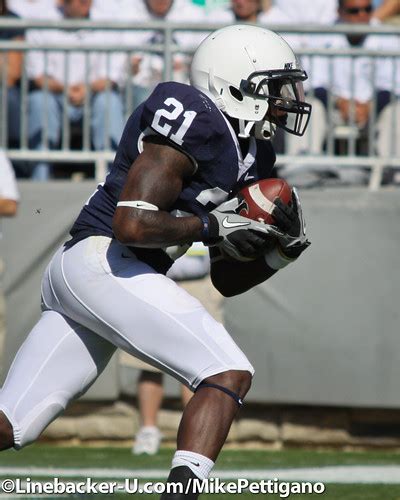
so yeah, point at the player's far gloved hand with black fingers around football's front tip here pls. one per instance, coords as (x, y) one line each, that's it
(290, 219)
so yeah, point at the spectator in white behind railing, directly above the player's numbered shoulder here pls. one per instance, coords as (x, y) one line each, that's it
(146, 69)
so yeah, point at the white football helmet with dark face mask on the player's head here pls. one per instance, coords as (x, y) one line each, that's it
(253, 75)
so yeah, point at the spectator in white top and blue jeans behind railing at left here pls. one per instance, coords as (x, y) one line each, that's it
(101, 89)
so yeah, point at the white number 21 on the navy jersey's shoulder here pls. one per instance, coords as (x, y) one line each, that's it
(177, 110)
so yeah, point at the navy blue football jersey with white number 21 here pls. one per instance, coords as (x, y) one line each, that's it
(192, 123)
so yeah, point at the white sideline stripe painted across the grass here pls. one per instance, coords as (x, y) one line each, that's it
(345, 474)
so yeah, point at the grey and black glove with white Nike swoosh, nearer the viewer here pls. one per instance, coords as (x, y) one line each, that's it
(239, 237)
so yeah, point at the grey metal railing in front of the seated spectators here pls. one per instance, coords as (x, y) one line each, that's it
(328, 157)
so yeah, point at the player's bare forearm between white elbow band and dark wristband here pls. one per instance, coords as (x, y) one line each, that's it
(156, 229)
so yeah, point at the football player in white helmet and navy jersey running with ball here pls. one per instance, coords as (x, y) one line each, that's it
(183, 155)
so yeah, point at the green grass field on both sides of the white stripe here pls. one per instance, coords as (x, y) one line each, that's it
(107, 459)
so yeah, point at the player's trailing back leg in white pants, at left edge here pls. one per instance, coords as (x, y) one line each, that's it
(58, 362)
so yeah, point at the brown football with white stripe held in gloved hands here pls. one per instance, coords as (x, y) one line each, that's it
(257, 199)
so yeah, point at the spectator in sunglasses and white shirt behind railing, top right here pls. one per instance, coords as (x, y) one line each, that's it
(358, 81)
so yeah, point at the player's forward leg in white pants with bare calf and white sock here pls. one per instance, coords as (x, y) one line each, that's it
(148, 315)
